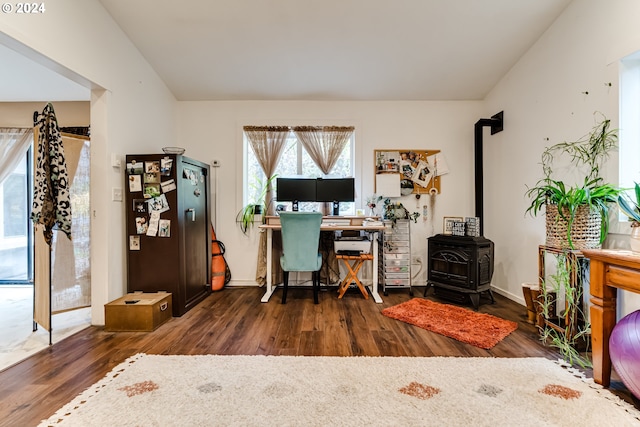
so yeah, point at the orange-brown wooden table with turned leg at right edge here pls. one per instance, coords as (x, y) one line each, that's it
(610, 270)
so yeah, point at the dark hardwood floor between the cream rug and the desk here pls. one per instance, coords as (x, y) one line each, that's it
(234, 321)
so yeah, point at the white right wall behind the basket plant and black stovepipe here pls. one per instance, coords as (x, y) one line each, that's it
(545, 102)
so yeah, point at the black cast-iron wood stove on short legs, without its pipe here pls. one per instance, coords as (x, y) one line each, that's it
(460, 266)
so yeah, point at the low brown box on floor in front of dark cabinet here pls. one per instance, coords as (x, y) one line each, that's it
(137, 311)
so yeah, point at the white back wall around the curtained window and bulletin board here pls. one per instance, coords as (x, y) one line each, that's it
(213, 130)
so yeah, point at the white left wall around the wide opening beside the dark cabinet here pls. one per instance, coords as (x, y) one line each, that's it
(131, 109)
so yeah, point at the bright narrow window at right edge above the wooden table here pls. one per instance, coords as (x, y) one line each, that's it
(629, 152)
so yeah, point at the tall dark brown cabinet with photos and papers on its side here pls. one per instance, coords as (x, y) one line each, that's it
(168, 227)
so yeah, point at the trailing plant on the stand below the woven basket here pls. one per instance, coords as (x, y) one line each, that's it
(576, 328)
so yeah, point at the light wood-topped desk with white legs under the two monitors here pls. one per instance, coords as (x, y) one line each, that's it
(273, 224)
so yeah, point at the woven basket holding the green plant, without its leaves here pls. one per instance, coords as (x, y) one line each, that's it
(585, 230)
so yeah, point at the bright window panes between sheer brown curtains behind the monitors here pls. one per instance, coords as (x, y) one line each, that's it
(295, 161)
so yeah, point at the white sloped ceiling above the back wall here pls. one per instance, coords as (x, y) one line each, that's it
(333, 49)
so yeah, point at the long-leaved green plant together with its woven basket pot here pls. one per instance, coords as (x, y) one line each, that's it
(572, 209)
